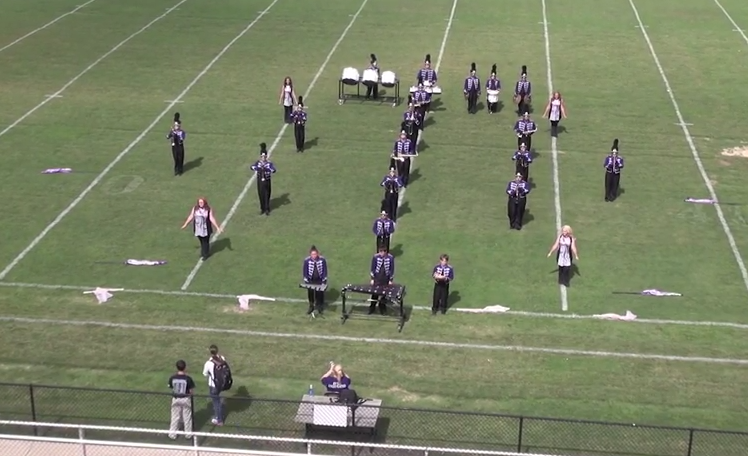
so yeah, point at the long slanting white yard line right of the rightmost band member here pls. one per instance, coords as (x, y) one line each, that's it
(697, 158)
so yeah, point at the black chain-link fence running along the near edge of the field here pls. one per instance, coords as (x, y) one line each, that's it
(415, 427)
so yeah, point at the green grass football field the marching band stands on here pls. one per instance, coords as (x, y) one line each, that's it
(61, 230)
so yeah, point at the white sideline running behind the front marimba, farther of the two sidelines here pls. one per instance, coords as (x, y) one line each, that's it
(514, 313)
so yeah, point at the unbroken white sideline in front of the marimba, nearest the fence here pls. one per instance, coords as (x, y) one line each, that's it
(381, 341)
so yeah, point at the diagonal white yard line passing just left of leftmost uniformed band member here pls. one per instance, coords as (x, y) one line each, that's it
(131, 146)
